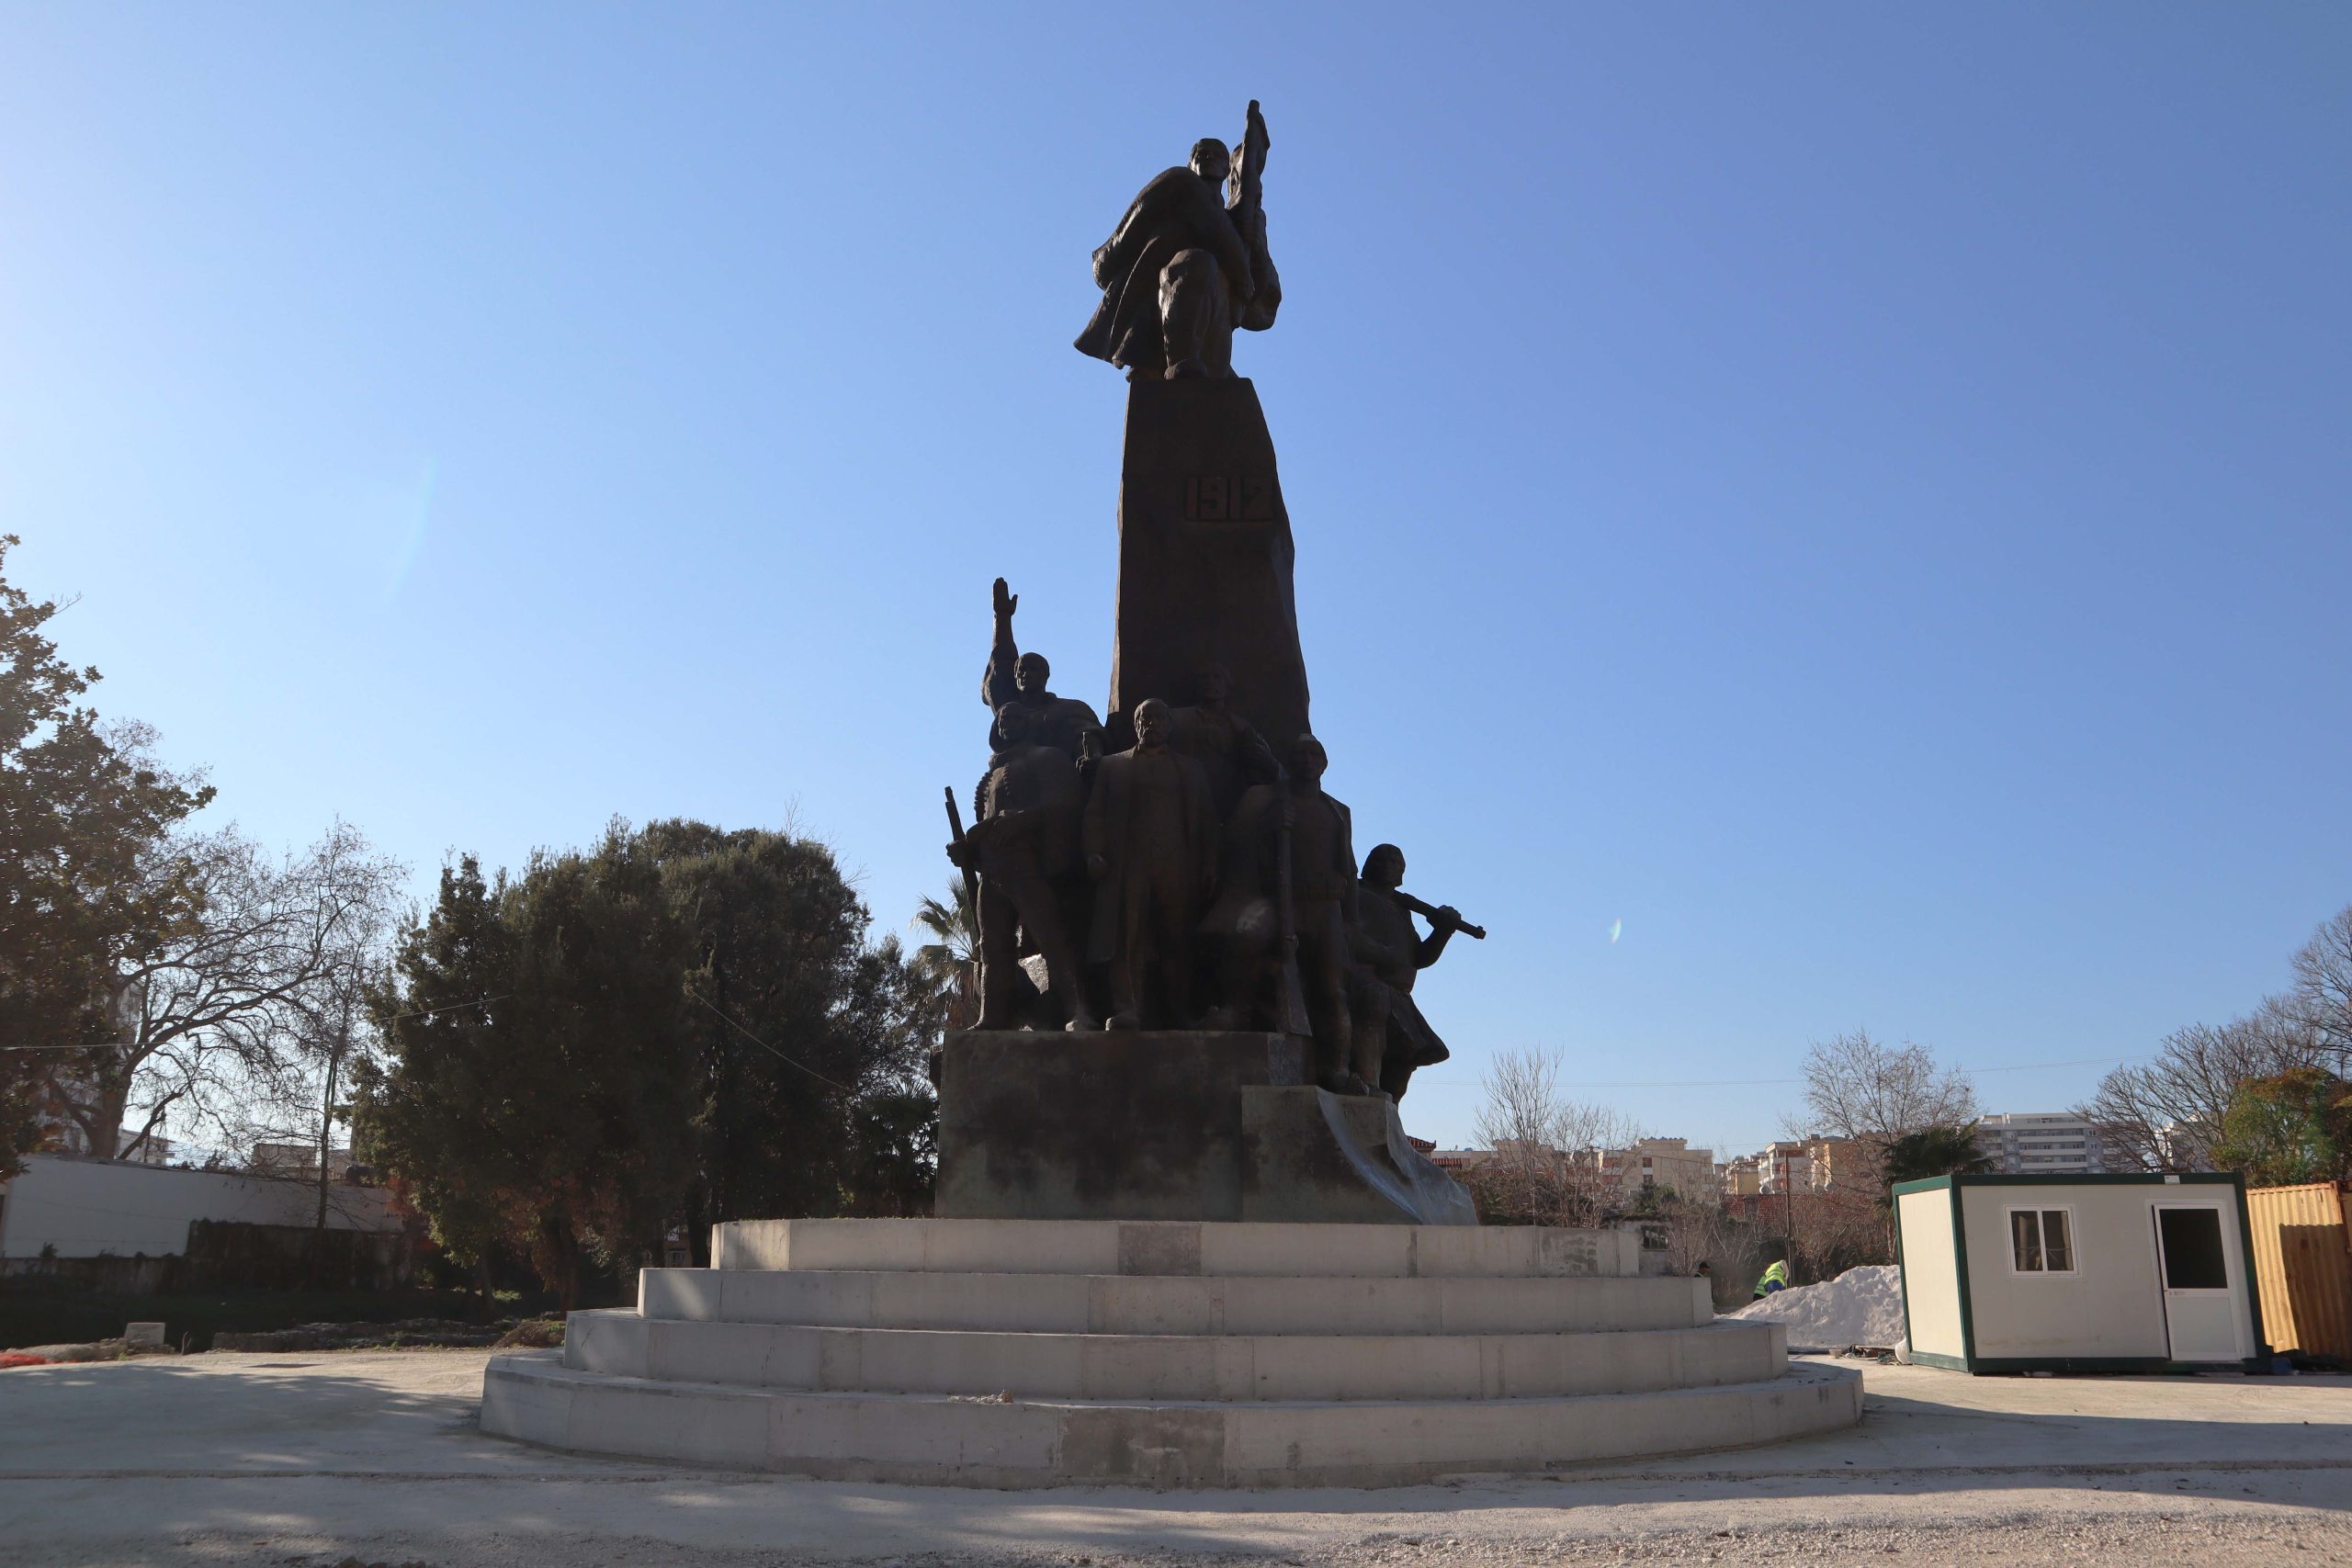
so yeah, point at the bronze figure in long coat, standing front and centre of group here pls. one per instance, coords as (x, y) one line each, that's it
(1151, 850)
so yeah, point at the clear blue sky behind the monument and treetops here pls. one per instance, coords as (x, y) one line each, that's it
(1857, 495)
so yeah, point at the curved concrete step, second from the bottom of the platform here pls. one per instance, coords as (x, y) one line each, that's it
(1172, 1367)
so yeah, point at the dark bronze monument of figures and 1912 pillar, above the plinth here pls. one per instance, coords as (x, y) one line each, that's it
(1180, 869)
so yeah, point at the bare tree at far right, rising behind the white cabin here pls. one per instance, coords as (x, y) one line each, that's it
(2167, 1113)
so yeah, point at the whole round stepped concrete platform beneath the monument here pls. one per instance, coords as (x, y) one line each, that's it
(1172, 1355)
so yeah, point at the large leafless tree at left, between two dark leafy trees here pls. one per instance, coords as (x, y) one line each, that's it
(211, 1021)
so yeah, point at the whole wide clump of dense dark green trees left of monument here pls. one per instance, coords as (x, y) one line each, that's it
(679, 1028)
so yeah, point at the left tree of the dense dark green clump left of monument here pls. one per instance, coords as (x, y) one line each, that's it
(535, 1094)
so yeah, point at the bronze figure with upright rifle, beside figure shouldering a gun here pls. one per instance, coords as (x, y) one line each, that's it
(1248, 927)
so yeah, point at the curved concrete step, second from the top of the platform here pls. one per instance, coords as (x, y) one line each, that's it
(1161, 1304)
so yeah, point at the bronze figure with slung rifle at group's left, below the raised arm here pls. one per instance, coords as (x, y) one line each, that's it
(1022, 847)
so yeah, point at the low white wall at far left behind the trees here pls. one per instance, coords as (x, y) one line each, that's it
(88, 1207)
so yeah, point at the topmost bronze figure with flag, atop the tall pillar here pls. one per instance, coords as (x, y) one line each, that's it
(1187, 267)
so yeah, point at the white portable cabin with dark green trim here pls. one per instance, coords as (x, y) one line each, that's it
(2078, 1273)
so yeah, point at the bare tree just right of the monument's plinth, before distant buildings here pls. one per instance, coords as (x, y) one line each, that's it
(1544, 1162)
